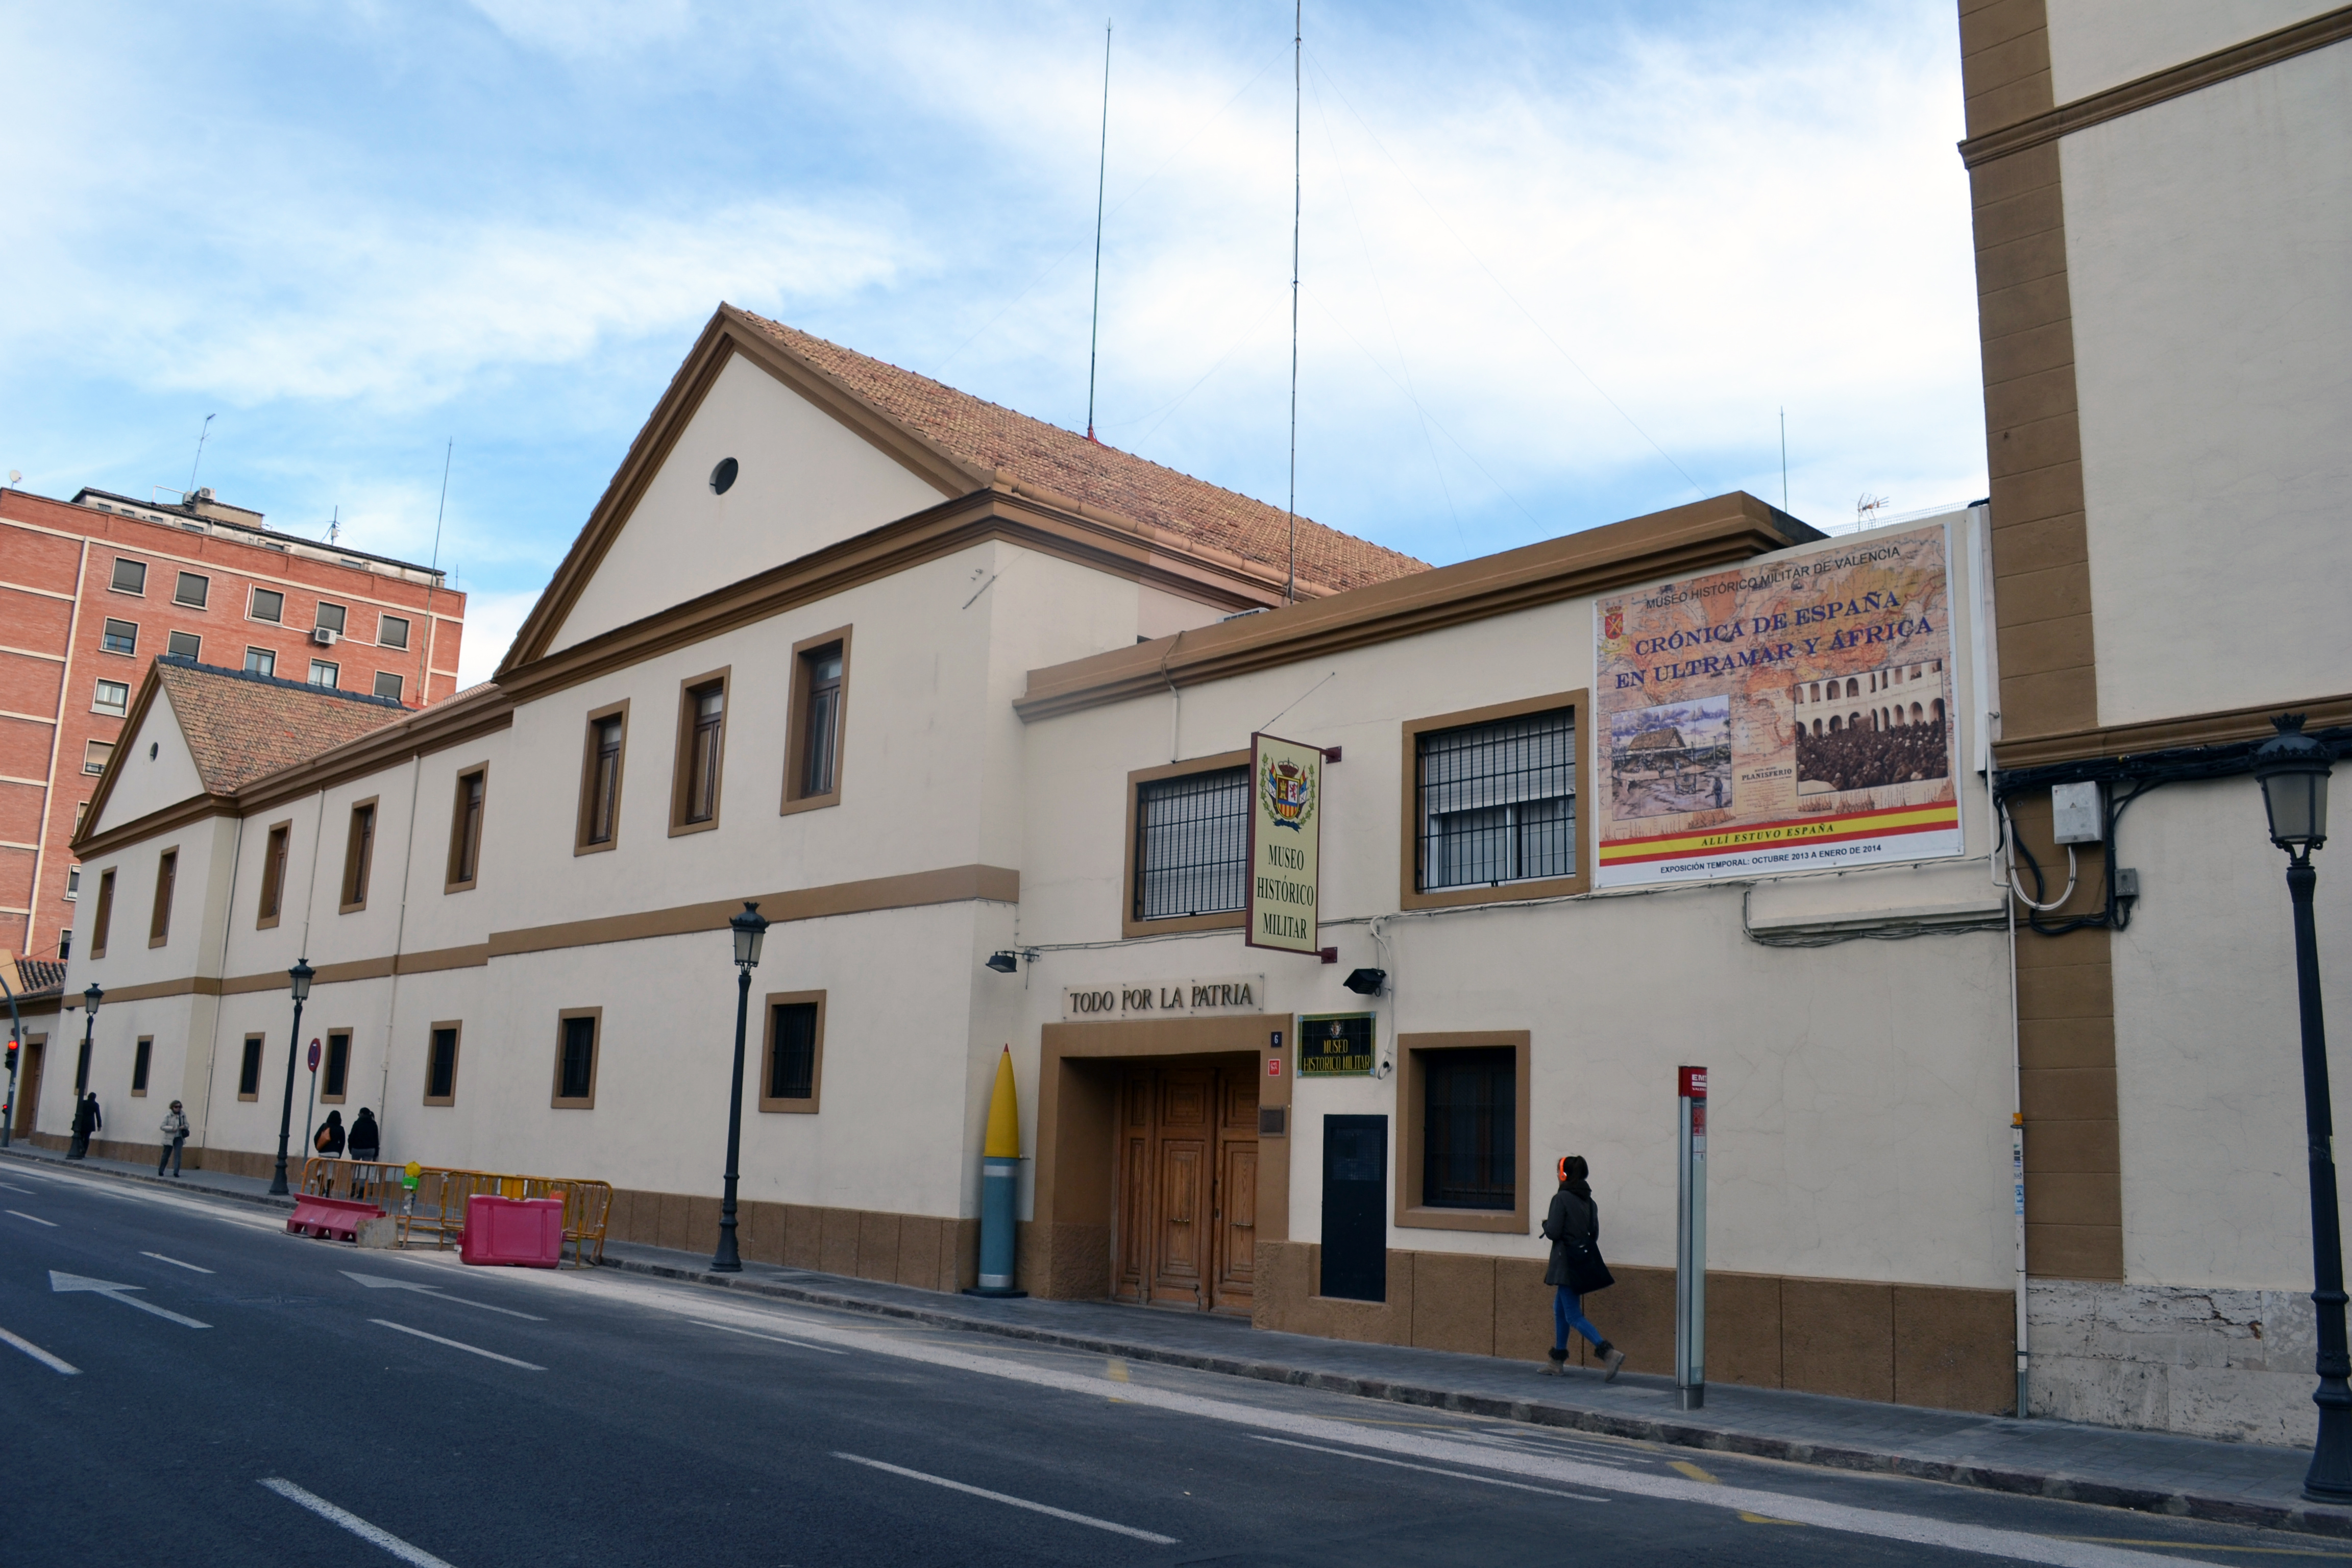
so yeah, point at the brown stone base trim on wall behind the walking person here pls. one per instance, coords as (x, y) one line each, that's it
(1927, 1346)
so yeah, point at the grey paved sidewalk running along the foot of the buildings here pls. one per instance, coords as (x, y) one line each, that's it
(2045, 1459)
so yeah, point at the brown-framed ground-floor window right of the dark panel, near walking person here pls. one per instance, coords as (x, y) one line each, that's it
(1464, 1132)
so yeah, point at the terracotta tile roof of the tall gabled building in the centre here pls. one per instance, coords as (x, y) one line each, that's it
(991, 436)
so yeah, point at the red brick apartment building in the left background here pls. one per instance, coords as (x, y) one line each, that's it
(98, 587)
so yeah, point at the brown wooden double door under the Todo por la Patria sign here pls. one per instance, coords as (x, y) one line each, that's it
(1189, 1184)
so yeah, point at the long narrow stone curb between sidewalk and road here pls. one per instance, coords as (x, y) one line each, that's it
(1608, 1423)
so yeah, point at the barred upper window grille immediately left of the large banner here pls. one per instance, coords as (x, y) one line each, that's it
(1499, 800)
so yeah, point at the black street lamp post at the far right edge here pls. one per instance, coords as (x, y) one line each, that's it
(2294, 775)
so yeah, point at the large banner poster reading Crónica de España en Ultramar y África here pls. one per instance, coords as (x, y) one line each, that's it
(1779, 718)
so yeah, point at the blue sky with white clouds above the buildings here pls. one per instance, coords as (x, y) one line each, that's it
(1563, 264)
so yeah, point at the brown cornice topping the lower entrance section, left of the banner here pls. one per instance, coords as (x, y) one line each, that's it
(1697, 537)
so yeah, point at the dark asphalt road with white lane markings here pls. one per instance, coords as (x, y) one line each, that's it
(239, 1395)
